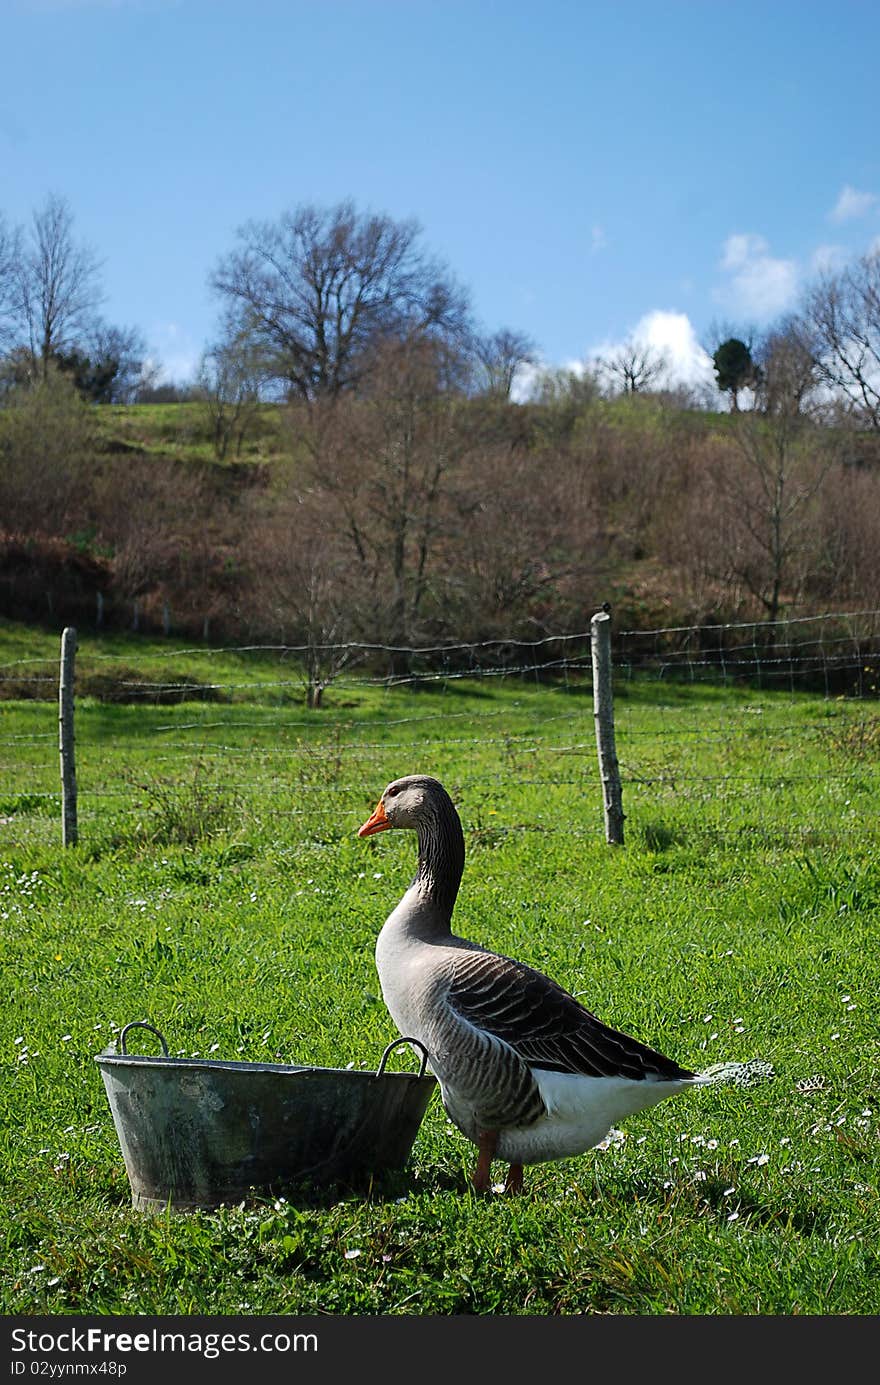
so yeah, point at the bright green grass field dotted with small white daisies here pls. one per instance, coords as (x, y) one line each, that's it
(220, 891)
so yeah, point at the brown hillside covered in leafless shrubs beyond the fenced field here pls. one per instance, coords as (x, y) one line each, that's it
(426, 517)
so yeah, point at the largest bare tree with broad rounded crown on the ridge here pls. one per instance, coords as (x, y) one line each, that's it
(317, 289)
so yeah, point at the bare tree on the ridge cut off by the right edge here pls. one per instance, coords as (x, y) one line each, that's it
(843, 312)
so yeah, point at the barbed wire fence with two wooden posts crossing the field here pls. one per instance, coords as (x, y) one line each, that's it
(253, 736)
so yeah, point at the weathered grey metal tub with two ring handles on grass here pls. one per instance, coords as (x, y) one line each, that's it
(196, 1134)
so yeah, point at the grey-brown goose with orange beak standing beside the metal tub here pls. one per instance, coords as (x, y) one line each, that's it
(526, 1073)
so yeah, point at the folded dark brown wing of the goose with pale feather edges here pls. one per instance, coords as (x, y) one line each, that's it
(545, 1026)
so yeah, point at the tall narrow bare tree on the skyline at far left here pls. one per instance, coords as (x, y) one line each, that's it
(58, 283)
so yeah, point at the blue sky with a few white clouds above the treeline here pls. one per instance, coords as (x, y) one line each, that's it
(590, 171)
